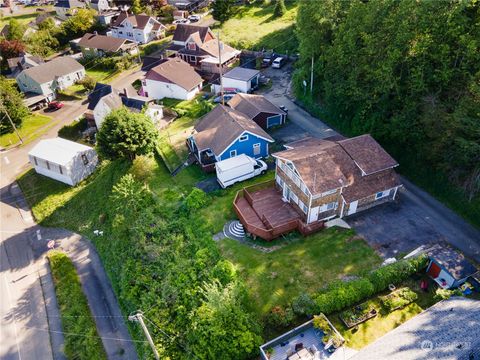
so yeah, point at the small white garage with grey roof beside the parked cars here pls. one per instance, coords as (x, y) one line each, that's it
(241, 79)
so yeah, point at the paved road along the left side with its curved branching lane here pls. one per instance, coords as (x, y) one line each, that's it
(26, 291)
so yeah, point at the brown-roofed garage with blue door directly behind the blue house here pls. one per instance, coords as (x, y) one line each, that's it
(259, 109)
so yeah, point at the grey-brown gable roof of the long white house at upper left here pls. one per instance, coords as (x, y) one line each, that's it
(50, 70)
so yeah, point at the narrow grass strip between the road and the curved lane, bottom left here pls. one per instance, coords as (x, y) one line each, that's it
(81, 337)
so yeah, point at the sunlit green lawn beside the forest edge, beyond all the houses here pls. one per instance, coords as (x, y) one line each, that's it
(253, 27)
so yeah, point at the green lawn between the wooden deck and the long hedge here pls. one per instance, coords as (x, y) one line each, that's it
(306, 265)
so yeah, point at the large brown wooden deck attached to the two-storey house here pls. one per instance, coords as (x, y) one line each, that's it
(263, 212)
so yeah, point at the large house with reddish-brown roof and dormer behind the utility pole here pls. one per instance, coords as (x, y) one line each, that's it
(198, 46)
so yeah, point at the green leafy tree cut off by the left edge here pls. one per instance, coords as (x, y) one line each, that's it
(11, 102)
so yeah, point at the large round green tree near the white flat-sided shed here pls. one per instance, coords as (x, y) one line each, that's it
(124, 134)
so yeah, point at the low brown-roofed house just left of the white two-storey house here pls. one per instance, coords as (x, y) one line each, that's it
(94, 45)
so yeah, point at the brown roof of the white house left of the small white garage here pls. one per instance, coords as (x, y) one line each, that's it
(175, 71)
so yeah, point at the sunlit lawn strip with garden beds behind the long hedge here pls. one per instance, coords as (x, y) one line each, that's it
(384, 322)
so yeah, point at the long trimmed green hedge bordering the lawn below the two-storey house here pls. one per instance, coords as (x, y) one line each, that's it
(340, 295)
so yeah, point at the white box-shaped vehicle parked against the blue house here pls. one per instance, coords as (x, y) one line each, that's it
(238, 168)
